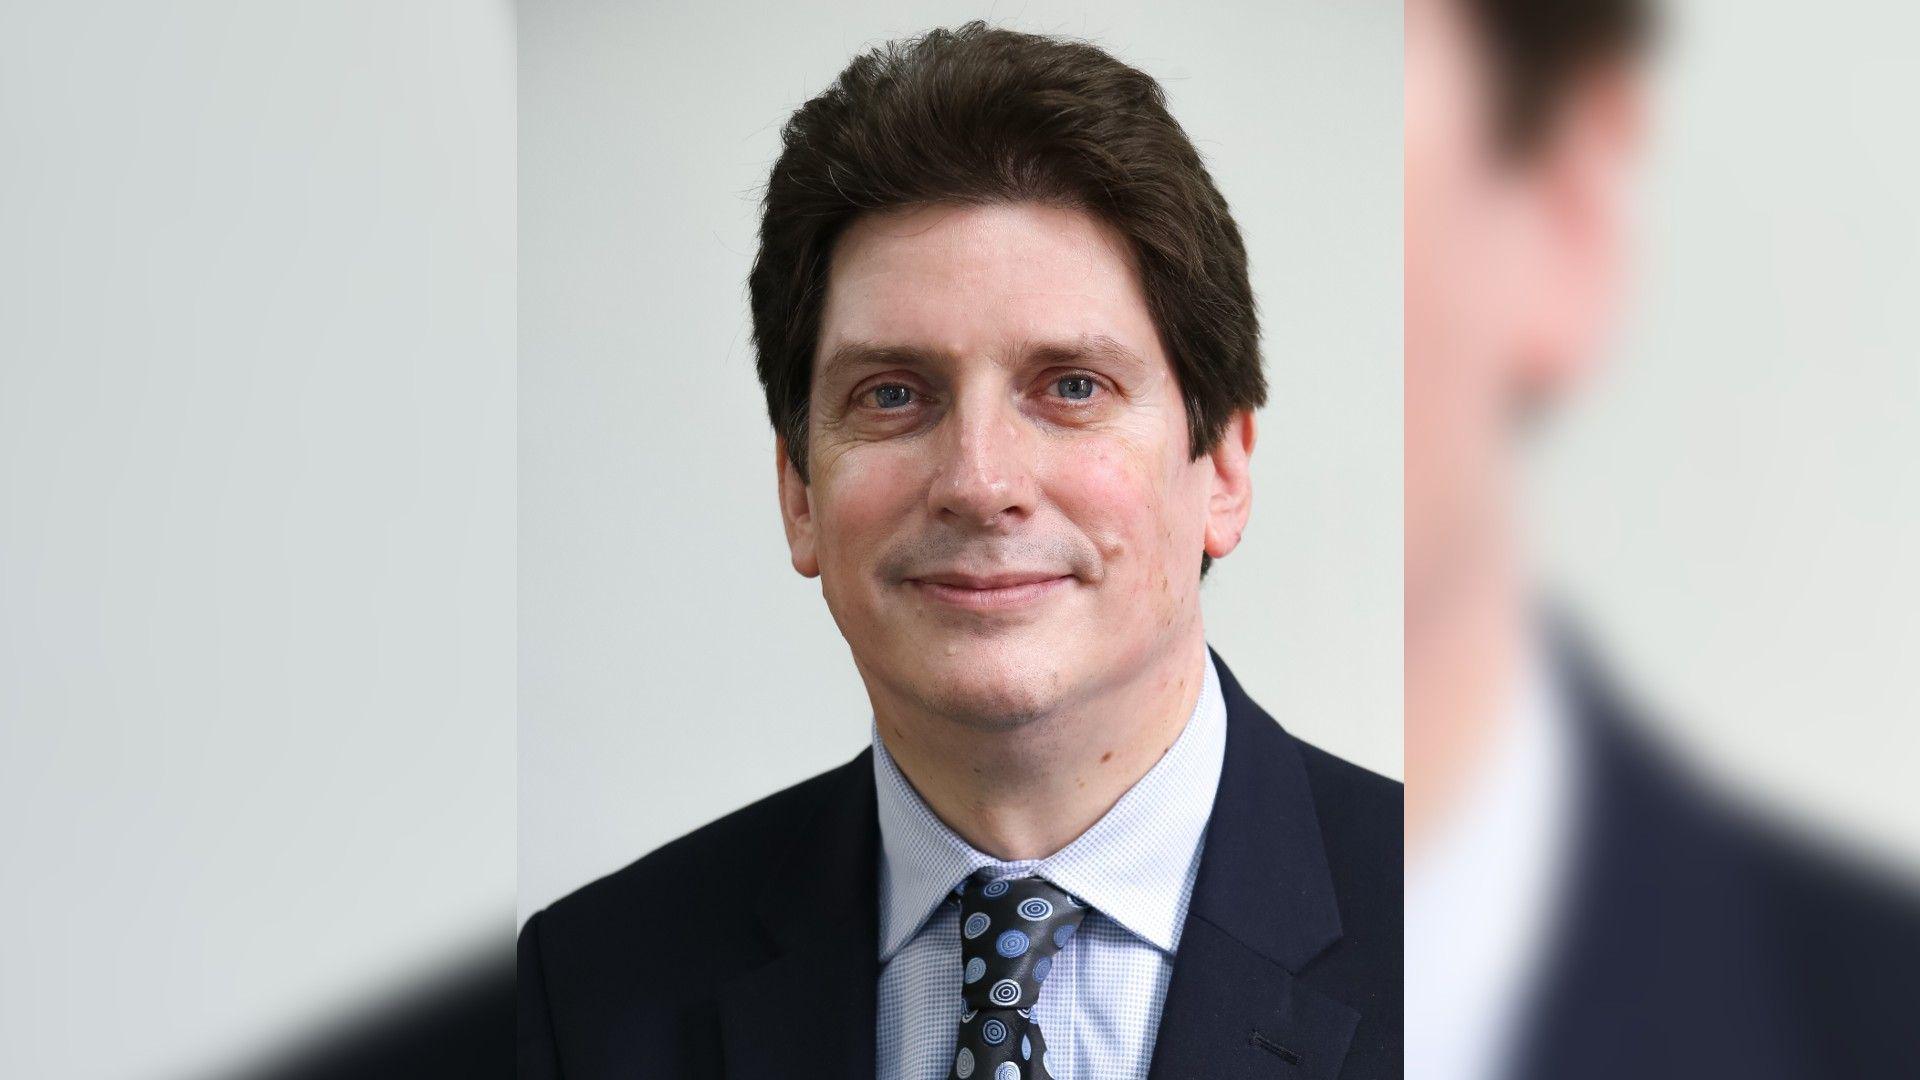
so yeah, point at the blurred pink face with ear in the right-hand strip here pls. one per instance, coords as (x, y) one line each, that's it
(1512, 266)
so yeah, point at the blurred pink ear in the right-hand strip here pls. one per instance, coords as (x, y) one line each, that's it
(1581, 193)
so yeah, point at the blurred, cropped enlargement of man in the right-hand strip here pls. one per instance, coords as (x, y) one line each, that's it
(1577, 904)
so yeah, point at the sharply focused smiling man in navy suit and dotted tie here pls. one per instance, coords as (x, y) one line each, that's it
(1011, 356)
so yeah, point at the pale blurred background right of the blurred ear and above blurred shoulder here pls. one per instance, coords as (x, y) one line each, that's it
(1735, 503)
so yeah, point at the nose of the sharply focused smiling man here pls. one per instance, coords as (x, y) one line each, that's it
(986, 472)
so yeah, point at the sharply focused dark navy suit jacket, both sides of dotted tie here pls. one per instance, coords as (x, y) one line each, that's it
(750, 948)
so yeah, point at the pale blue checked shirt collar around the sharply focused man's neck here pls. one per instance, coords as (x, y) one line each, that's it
(1136, 866)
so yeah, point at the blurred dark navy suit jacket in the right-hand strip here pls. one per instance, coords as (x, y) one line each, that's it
(1704, 941)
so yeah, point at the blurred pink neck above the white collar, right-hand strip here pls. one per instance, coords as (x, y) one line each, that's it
(1462, 664)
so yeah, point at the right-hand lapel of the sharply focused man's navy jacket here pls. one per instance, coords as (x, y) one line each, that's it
(1262, 910)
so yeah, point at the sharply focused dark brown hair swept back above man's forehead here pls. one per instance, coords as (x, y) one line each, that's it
(982, 114)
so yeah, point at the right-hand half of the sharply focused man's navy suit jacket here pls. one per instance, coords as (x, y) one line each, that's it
(1293, 945)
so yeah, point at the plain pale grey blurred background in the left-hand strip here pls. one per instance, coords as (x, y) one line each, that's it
(256, 526)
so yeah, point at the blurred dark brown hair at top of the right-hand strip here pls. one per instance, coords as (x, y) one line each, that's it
(1541, 49)
